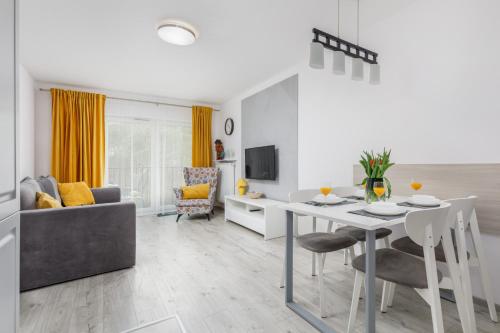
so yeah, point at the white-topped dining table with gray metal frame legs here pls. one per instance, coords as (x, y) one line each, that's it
(339, 214)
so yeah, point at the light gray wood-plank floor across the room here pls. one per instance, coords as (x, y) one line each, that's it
(218, 277)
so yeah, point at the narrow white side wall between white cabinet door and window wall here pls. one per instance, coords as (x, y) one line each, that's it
(26, 123)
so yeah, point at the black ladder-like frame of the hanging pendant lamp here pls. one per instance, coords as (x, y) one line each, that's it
(337, 44)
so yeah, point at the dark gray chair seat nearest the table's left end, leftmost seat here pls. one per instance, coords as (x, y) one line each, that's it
(322, 242)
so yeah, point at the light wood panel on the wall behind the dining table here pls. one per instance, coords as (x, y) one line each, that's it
(447, 181)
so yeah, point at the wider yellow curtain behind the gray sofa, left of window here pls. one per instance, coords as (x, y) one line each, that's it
(78, 137)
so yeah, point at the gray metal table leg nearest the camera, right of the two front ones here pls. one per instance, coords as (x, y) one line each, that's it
(370, 282)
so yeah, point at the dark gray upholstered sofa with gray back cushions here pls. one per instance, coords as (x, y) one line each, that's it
(62, 244)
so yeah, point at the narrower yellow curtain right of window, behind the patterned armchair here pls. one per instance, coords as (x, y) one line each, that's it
(202, 136)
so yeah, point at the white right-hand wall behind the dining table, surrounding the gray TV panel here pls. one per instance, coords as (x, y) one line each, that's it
(438, 101)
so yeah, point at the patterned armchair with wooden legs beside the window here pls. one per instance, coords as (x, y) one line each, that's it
(193, 176)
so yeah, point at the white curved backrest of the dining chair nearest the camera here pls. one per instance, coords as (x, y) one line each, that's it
(417, 222)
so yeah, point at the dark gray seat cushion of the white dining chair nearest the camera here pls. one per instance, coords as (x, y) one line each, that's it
(398, 267)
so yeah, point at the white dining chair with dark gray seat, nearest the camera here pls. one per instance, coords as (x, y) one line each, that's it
(426, 228)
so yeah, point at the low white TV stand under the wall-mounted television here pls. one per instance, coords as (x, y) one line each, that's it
(260, 215)
